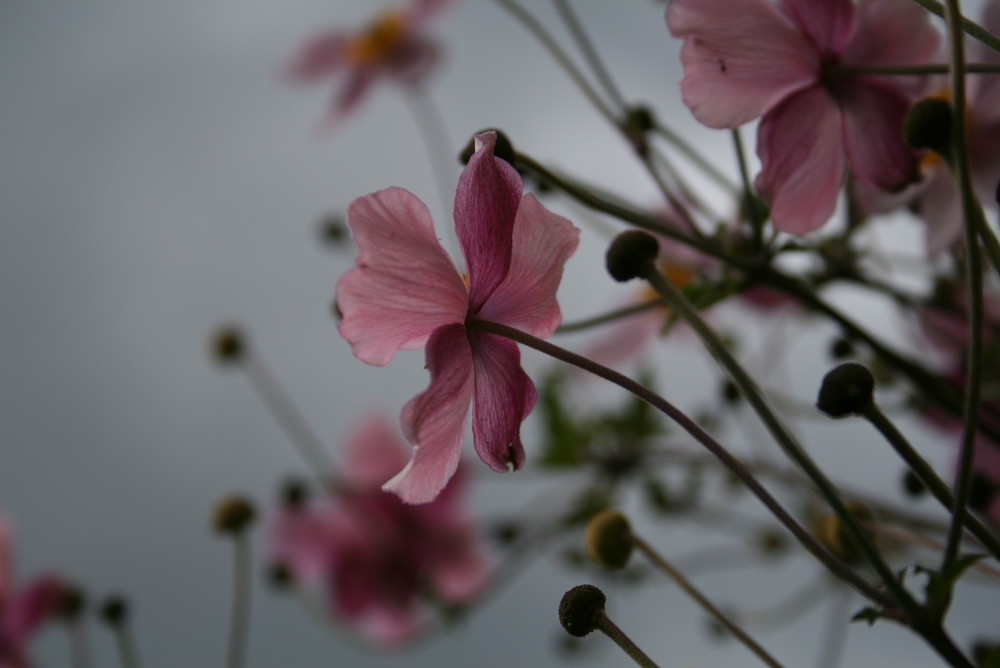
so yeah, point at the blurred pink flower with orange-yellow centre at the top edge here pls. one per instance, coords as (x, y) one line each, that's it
(392, 47)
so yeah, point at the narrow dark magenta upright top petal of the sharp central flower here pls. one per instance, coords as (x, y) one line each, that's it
(486, 201)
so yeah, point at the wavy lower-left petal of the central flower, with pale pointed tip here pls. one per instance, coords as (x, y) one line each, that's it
(434, 420)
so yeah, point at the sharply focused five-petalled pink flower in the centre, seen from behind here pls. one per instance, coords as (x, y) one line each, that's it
(405, 293)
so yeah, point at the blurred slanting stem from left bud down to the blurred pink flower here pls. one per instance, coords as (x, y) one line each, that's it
(276, 400)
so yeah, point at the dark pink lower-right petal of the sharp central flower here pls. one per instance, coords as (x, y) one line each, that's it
(504, 398)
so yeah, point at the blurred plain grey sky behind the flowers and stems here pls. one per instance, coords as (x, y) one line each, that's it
(159, 176)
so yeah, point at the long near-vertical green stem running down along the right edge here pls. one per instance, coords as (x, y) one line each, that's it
(974, 366)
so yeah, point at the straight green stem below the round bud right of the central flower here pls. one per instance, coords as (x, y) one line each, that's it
(779, 432)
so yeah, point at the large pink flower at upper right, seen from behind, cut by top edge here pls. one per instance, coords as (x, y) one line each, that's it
(745, 59)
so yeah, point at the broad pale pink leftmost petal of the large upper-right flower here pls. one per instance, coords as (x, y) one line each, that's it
(741, 57)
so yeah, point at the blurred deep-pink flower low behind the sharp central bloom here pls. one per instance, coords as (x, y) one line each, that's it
(373, 554)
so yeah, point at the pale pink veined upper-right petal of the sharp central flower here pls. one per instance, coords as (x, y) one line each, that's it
(526, 299)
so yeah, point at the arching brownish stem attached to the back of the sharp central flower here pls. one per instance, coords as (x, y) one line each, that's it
(824, 556)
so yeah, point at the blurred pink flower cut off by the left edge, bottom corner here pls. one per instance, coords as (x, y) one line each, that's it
(22, 609)
